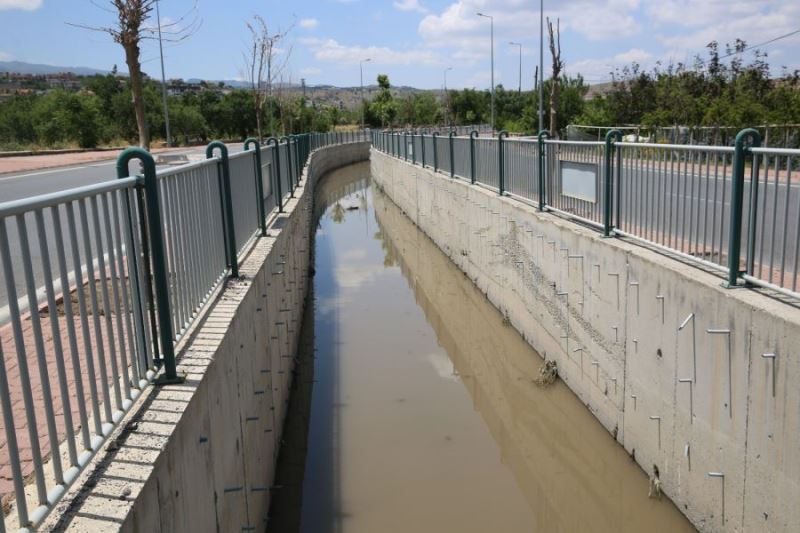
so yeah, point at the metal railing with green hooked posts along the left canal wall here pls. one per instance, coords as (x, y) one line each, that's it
(142, 256)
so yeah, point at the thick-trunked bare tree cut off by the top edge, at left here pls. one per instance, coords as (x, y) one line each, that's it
(129, 31)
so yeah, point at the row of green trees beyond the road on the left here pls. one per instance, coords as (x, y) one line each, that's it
(102, 114)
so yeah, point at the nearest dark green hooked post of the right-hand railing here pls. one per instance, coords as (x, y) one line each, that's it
(741, 151)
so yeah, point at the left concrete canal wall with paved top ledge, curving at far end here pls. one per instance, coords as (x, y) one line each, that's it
(200, 456)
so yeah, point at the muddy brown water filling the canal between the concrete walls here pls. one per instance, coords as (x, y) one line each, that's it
(414, 407)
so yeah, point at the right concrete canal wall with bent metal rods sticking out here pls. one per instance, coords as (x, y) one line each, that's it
(609, 313)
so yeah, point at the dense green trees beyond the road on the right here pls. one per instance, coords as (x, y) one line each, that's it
(721, 90)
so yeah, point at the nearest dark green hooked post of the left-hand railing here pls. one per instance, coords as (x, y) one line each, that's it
(158, 255)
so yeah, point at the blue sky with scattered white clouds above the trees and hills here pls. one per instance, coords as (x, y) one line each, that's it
(413, 41)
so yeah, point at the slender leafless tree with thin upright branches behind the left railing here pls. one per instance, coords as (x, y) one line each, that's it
(263, 66)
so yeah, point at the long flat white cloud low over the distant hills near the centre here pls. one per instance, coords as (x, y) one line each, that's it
(331, 50)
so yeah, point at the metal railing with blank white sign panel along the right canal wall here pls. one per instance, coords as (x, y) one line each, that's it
(732, 209)
